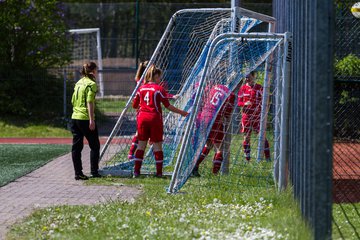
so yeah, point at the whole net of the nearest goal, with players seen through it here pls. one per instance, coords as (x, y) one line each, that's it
(238, 159)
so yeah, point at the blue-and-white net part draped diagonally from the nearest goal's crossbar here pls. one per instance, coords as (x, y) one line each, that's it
(229, 60)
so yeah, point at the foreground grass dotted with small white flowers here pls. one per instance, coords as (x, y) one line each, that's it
(197, 213)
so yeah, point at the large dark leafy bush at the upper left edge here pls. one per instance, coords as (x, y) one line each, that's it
(34, 40)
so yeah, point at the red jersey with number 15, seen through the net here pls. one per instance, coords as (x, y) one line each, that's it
(213, 101)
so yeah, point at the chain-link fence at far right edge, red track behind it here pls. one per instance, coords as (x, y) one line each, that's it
(346, 146)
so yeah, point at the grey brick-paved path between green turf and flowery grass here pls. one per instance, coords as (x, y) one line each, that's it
(53, 185)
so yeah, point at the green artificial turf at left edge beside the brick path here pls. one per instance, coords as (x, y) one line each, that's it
(18, 160)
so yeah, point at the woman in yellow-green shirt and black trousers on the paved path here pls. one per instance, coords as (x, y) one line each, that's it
(83, 121)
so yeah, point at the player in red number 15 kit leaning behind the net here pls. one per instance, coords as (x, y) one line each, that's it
(212, 102)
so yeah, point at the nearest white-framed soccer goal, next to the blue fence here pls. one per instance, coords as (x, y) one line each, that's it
(232, 57)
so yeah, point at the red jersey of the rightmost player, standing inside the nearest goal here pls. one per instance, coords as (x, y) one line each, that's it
(252, 94)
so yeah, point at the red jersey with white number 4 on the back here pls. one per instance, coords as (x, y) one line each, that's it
(149, 97)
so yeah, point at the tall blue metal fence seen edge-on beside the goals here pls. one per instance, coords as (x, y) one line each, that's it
(310, 135)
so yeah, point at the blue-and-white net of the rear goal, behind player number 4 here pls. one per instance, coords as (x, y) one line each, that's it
(181, 54)
